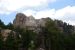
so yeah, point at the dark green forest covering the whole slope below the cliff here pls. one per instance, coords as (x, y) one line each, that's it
(51, 37)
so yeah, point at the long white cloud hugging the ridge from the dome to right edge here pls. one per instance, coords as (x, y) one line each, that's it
(67, 14)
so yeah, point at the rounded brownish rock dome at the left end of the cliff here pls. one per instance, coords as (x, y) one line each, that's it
(19, 20)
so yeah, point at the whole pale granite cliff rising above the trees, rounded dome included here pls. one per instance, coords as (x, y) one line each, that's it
(30, 22)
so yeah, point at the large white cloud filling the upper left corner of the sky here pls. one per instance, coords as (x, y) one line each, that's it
(14, 5)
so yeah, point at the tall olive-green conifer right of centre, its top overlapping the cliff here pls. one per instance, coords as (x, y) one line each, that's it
(51, 35)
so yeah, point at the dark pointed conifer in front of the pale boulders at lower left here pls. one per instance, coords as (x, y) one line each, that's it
(10, 41)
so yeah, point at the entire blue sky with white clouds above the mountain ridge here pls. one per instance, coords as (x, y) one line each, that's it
(56, 9)
